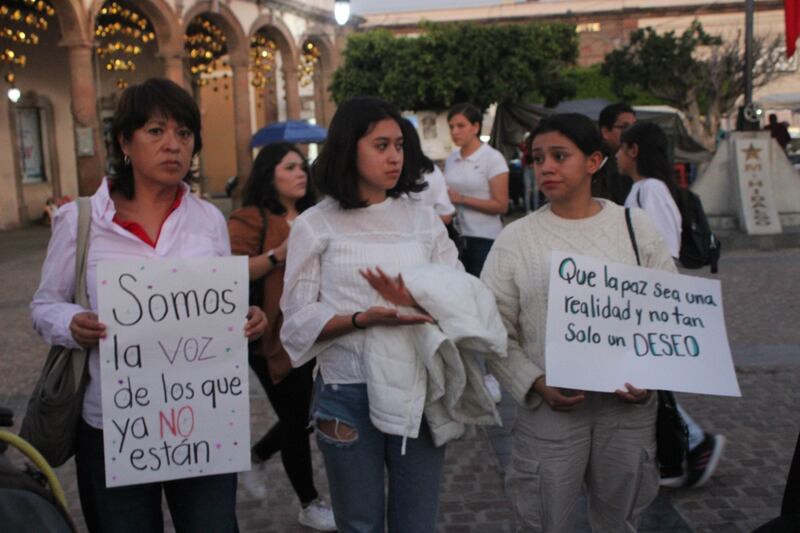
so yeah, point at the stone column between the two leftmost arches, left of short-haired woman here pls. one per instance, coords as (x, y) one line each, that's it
(84, 115)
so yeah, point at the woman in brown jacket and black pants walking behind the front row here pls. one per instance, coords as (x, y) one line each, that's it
(274, 195)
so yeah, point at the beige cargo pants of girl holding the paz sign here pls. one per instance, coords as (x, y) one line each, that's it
(606, 445)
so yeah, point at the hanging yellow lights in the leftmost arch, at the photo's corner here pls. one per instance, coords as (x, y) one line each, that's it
(19, 22)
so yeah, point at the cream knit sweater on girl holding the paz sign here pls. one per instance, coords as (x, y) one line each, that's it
(517, 271)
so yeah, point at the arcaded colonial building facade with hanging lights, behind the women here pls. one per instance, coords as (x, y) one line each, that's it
(248, 63)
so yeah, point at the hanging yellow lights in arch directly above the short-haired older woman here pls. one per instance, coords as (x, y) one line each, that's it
(121, 32)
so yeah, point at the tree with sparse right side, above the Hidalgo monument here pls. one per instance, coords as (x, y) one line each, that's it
(696, 72)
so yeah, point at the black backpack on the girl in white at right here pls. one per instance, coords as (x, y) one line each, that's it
(699, 246)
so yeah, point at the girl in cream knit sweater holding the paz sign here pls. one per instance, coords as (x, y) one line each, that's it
(564, 440)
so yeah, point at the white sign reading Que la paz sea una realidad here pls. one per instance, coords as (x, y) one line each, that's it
(609, 324)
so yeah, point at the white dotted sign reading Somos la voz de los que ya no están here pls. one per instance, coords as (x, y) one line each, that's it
(173, 368)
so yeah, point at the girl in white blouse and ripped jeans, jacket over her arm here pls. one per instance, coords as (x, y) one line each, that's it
(331, 297)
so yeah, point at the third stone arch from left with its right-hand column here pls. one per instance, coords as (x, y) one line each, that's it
(238, 48)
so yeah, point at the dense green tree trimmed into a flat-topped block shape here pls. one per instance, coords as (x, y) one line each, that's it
(450, 63)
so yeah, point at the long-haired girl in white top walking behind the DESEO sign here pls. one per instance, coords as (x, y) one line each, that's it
(644, 156)
